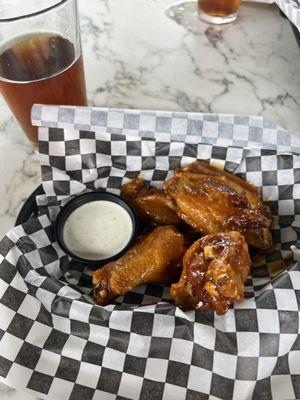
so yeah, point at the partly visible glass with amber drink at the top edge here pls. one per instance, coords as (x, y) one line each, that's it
(218, 11)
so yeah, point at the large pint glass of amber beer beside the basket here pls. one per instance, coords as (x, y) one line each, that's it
(40, 57)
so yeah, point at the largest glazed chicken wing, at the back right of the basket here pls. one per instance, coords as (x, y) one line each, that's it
(214, 201)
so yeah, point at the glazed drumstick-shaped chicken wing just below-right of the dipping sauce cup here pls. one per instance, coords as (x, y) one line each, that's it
(154, 258)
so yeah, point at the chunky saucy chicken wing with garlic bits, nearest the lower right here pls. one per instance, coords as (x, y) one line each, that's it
(214, 270)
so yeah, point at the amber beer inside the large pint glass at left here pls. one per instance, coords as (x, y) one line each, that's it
(40, 68)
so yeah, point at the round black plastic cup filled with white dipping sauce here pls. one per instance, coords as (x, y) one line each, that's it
(96, 228)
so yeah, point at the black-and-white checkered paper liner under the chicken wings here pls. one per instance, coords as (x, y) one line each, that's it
(56, 344)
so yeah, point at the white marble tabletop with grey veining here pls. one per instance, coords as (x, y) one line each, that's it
(138, 57)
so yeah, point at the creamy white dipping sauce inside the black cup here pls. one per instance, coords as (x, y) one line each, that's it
(97, 230)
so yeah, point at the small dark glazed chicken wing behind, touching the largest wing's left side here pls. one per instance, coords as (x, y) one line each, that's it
(152, 205)
